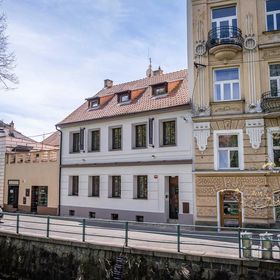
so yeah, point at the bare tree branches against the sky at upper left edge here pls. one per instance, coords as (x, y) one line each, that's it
(7, 58)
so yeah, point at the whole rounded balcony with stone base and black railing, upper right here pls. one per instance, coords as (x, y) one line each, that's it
(225, 42)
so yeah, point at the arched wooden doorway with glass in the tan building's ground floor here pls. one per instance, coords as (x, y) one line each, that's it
(230, 208)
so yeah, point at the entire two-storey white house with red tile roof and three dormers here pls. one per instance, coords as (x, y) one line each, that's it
(127, 152)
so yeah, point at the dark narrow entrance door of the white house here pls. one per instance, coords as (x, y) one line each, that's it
(173, 197)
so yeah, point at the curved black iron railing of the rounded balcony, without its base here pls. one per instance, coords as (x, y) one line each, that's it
(226, 35)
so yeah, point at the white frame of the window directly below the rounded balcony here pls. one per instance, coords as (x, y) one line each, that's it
(221, 83)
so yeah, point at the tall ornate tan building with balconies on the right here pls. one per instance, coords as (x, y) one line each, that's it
(234, 67)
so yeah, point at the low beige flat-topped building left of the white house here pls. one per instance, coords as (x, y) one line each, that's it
(32, 180)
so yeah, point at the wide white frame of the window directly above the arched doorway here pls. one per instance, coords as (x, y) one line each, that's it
(239, 133)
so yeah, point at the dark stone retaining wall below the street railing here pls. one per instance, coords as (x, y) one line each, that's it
(29, 258)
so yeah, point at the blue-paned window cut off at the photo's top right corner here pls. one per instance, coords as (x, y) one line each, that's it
(273, 15)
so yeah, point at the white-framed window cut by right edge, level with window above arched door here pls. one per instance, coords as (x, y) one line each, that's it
(274, 145)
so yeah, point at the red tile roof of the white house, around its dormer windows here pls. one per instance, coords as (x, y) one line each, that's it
(177, 96)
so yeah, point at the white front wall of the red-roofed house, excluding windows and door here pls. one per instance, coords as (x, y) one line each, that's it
(158, 163)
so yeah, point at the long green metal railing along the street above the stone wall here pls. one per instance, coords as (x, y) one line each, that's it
(209, 240)
